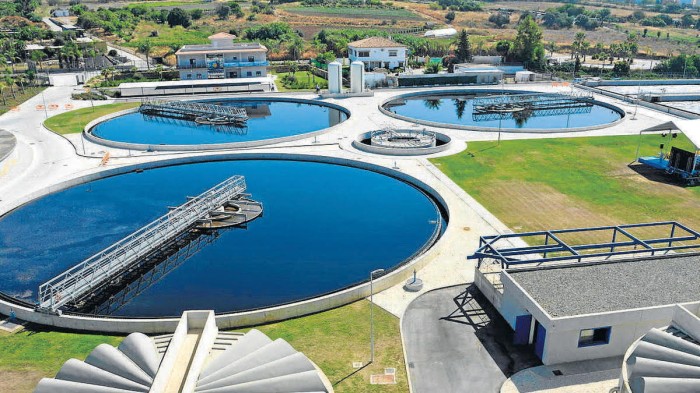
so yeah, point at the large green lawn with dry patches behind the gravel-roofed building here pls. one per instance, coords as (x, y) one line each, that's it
(571, 182)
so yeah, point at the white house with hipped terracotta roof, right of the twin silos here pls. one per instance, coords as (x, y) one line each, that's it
(378, 52)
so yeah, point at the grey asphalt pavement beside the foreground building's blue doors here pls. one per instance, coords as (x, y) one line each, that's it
(456, 342)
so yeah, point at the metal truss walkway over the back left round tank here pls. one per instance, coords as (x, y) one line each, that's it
(204, 113)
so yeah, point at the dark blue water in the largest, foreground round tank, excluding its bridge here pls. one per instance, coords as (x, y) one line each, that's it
(323, 228)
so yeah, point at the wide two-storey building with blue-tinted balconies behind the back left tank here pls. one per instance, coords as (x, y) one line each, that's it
(222, 58)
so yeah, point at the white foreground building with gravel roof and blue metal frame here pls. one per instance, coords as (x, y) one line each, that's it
(590, 301)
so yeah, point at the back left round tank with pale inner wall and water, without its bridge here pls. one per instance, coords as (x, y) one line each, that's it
(269, 120)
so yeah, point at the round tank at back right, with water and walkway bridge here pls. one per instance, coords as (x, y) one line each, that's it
(510, 110)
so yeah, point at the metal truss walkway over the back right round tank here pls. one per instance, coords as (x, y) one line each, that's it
(515, 106)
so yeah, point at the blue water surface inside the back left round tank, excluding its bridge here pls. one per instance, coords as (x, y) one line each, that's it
(267, 119)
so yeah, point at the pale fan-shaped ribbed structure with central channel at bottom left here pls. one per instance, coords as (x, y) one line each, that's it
(192, 362)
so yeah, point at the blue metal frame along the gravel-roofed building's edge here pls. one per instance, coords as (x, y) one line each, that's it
(622, 243)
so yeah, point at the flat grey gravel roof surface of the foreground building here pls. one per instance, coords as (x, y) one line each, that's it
(620, 285)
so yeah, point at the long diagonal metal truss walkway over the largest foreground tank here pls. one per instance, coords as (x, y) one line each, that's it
(127, 253)
